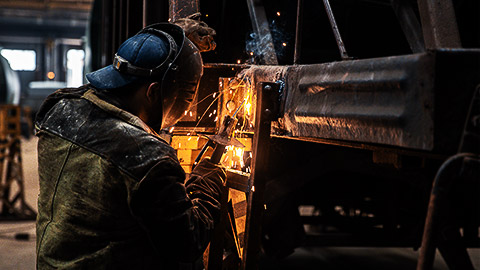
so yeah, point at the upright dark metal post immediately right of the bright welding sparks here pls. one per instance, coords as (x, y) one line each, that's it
(258, 177)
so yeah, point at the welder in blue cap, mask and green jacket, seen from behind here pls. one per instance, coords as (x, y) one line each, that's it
(112, 192)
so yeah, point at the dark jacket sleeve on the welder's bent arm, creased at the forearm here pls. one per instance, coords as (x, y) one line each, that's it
(179, 217)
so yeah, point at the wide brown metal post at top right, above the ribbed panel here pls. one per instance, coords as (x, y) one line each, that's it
(439, 24)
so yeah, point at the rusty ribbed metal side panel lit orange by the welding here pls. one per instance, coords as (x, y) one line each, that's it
(382, 101)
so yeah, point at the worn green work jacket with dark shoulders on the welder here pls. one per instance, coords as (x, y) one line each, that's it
(112, 193)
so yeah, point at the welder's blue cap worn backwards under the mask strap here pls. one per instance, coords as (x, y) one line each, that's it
(143, 50)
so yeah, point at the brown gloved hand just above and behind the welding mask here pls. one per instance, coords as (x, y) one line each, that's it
(198, 32)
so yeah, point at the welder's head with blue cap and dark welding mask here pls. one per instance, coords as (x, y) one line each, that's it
(162, 62)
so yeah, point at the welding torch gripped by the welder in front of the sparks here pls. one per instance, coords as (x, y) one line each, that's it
(221, 140)
